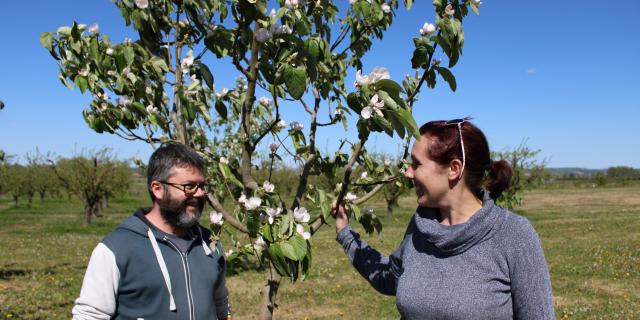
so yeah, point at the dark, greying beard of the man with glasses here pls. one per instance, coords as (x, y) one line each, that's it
(175, 212)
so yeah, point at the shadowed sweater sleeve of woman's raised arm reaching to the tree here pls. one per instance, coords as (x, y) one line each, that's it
(381, 272)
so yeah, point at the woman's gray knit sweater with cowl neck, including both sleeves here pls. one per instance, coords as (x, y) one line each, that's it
(491, 267)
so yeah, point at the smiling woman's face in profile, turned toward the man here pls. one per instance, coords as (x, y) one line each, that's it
(431, 180)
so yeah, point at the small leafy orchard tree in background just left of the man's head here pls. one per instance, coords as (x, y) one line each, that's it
(91, 179)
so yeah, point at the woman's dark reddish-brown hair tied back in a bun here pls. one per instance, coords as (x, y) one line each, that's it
(446, 141)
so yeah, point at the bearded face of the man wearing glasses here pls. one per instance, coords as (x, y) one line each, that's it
(180, 209)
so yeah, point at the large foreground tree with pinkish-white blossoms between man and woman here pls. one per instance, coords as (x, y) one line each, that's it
(158, 89)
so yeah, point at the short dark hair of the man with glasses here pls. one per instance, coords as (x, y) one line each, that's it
(167, 157)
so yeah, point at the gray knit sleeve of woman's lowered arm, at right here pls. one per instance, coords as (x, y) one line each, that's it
(530, 280)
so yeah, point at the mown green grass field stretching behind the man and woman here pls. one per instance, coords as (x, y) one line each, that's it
(591, 239)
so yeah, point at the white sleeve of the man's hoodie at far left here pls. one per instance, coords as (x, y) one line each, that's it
(99, 288)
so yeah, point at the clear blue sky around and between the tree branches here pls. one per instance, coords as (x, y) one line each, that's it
(564, 75)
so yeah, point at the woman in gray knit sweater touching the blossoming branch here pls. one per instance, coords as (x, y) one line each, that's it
(462, 257)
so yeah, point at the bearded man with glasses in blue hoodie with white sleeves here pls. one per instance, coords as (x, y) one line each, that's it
(158, 264)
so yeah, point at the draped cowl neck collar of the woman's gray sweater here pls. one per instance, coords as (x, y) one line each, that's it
(456, 239)
